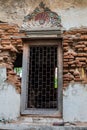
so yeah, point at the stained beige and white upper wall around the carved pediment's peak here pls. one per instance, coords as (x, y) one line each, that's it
(72, 12)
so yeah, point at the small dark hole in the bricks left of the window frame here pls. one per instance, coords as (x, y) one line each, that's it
(18, 64)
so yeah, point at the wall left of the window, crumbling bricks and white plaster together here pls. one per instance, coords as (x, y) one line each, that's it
(10, 84)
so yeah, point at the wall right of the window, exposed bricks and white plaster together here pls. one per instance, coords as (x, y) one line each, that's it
(75, 75)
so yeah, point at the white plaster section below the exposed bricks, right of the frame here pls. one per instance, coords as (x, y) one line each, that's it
(75, 103)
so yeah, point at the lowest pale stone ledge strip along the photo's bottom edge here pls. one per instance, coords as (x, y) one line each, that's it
(25, 126)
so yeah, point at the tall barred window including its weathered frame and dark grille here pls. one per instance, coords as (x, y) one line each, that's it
(42, 77)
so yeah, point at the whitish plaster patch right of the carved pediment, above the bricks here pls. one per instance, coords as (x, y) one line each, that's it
(73, 17)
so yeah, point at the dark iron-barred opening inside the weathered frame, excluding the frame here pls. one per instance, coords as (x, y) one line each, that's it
(42, 85)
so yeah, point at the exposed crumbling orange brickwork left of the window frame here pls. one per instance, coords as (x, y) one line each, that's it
(9, 47)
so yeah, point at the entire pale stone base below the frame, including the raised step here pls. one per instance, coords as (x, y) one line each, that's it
(37, 123)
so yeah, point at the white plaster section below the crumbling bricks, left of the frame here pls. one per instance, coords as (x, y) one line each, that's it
(9, 99)
